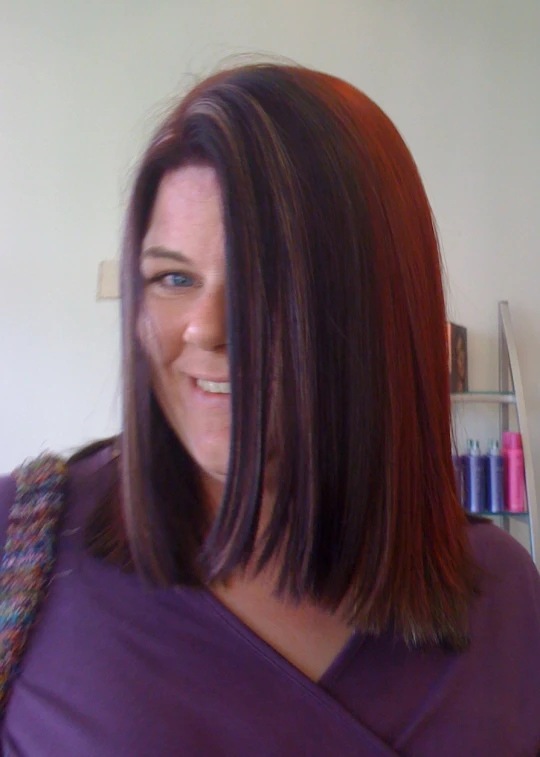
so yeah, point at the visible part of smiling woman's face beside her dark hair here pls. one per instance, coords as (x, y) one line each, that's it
(182, 325)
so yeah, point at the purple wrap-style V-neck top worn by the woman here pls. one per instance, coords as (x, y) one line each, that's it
(117, 669)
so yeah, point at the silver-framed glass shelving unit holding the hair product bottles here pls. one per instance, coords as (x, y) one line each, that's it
(511, 394)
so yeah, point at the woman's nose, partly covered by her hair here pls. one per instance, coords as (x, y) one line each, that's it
(206, 327)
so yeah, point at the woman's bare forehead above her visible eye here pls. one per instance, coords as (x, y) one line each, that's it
(188, 207)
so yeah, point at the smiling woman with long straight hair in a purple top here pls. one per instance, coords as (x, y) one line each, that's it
(272, 559)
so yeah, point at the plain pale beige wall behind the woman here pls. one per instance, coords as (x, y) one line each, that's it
(81, 84)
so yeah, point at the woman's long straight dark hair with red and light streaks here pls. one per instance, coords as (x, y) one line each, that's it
(334, 291)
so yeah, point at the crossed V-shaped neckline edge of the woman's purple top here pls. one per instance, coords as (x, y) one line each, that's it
(335, 669)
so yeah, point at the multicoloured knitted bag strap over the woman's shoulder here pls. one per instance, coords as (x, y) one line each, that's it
(28, 559)
